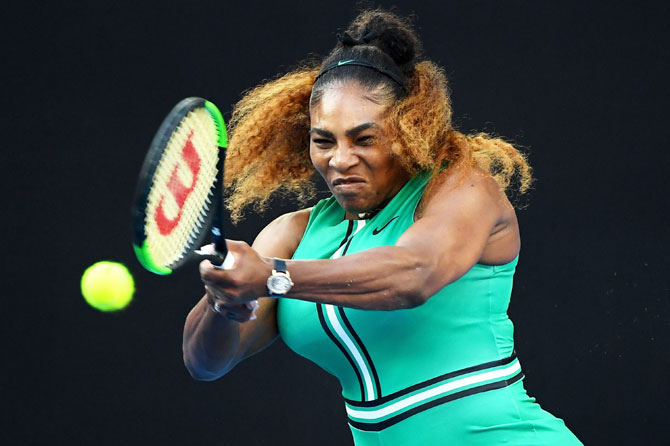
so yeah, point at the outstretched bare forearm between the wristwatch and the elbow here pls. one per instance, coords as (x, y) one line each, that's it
(384, 278)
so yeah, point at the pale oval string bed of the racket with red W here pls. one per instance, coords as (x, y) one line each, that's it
(182, 190)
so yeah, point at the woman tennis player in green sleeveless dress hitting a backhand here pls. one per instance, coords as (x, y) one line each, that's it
(399, 283)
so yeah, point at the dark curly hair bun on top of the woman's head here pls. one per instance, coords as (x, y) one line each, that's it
(390, 33)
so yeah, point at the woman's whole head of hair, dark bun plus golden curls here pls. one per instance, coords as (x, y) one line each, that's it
(269, 130)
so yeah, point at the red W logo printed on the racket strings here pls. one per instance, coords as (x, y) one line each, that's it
(179, 191)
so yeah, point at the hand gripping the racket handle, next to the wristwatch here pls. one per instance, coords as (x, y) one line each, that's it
(246, 281)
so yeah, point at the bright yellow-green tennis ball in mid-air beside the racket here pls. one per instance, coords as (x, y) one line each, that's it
(107, 286)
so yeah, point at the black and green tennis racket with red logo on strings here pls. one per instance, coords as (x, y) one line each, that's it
(179, 191)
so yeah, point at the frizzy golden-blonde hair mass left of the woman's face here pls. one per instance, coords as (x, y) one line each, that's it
(269, 141)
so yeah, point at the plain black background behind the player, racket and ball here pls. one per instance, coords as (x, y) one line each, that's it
(581, 85)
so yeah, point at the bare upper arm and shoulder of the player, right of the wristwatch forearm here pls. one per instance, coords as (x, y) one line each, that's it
(454, 228)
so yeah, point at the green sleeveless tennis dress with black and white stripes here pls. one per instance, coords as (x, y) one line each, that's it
(444, 373)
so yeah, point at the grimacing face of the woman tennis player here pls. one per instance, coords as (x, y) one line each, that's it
(350, 149)
